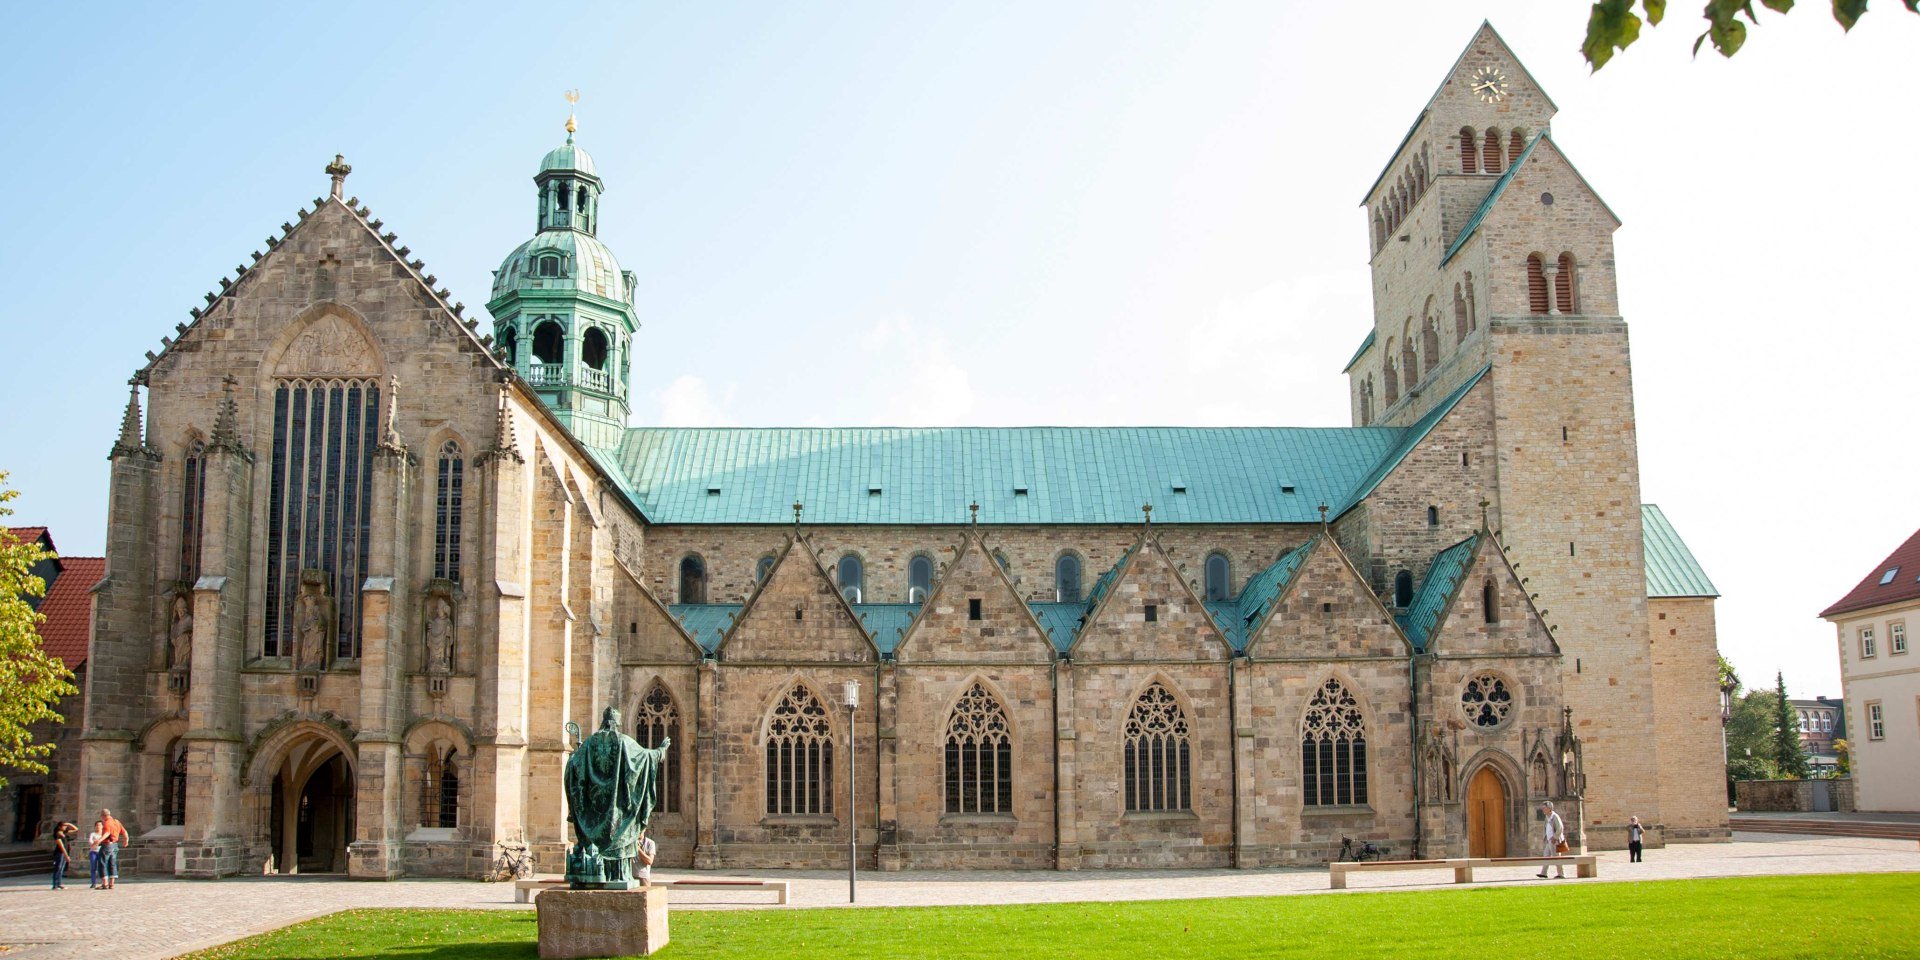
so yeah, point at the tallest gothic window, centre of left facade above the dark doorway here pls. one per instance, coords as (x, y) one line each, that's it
(318, 502)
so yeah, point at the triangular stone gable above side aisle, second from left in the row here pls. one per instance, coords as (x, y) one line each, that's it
(948, 629)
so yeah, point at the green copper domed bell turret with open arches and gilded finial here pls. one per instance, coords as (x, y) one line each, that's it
(564, 308)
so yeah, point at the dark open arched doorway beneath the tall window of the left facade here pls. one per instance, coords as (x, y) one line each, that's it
(312, 819)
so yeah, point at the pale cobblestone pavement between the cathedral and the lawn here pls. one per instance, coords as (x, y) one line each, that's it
(160, 919)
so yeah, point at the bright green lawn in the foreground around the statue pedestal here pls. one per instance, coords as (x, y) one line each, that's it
(1827, 917)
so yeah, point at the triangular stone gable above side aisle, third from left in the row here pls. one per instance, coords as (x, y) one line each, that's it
(1143, 610)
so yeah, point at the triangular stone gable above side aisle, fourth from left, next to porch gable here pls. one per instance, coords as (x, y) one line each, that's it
(1324, 612)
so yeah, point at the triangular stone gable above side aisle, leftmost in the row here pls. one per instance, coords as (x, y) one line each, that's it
(798, 615)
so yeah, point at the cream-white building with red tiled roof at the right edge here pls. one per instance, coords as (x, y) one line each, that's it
(1881, 681)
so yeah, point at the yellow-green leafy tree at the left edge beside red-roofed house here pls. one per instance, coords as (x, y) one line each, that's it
(32, 683)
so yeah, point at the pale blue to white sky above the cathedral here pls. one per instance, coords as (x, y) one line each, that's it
(1005, 214)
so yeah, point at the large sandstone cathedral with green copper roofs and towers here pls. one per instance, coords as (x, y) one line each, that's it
(375, 565)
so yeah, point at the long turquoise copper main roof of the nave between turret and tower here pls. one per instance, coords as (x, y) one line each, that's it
(1020, 475)
